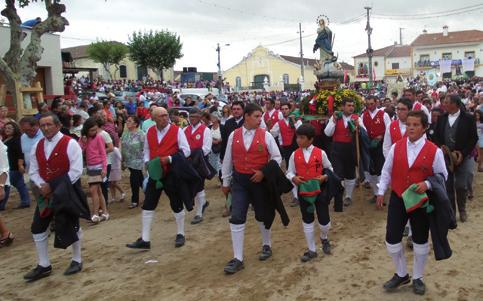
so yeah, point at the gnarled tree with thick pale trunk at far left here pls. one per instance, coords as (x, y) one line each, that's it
(18, 66)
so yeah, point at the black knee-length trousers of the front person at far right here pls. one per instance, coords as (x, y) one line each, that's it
(397, 218)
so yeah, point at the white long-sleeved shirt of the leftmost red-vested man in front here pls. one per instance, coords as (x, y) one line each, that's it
(74, 153)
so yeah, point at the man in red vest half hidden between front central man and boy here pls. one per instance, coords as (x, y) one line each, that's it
(284, 130)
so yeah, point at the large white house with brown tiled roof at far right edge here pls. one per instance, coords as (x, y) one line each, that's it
(463, 48)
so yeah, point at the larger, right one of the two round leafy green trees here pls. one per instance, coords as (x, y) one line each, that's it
(156, 50)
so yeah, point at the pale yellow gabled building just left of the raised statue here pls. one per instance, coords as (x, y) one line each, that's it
(263, 69)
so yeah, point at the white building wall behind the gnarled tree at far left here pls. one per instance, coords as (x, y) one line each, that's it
(49, 68)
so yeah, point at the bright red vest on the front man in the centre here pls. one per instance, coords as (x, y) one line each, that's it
(257, 155)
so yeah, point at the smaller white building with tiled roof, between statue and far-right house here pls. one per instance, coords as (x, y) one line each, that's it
(387, 64)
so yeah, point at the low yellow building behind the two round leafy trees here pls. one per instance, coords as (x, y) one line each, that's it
(127, 69)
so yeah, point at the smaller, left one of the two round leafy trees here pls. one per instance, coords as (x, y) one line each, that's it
(108, 53)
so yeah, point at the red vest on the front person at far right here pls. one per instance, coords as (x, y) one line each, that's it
(404, 176)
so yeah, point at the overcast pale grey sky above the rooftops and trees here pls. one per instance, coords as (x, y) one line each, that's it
(246, 24)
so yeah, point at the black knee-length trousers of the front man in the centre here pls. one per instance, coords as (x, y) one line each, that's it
(245, 192)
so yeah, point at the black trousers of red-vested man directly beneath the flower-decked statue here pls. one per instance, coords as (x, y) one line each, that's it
(343, 160)
